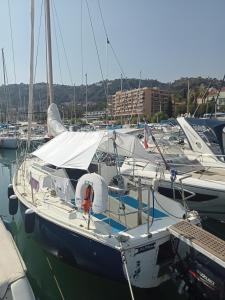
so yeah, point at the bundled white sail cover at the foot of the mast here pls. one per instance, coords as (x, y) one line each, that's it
(54, 122)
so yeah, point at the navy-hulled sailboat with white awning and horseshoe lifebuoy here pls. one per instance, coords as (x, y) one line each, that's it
(73, 196)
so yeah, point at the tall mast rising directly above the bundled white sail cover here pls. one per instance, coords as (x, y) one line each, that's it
(49, 50)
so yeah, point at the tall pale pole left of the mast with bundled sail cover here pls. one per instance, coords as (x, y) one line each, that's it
(31, 83)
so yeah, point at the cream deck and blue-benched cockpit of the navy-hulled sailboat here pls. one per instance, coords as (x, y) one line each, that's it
(121, 214)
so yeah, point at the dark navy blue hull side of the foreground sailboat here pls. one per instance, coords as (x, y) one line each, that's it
(78, 250)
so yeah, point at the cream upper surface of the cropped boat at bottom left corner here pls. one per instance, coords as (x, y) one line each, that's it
(12, 266)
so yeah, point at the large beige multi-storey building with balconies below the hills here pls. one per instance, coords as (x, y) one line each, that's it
(144, 101)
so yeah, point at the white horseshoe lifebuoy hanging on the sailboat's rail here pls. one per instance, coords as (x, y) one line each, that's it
(100, 189)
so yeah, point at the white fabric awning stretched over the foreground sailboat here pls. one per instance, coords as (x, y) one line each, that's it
(77, 149)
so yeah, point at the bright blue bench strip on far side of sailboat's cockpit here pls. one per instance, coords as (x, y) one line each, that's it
(134, 203)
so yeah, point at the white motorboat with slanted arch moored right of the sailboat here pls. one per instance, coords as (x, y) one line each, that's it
(199, 167)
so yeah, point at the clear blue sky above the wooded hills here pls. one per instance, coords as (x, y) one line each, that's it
(164, 39)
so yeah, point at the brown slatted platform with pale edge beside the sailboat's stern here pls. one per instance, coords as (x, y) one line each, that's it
(201, 240)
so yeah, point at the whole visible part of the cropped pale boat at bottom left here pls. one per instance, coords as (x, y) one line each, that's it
(14, 284)
